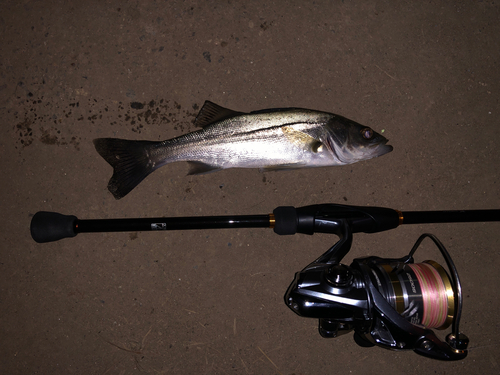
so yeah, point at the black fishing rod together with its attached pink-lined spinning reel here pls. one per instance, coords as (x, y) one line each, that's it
(393, 303)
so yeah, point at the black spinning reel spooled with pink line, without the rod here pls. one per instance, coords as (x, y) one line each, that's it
(391, 303)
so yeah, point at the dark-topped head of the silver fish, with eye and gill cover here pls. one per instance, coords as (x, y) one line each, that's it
(351, 142)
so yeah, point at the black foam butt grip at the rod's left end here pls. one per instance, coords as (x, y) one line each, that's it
(51, 226)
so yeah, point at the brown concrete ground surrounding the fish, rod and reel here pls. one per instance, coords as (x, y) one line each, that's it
(211, 302)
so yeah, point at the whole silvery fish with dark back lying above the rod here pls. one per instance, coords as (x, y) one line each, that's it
(269, 139)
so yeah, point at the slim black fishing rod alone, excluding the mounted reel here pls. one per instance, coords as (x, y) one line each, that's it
(285, 220)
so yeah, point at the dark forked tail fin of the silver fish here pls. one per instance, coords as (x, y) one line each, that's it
(130, 161)
